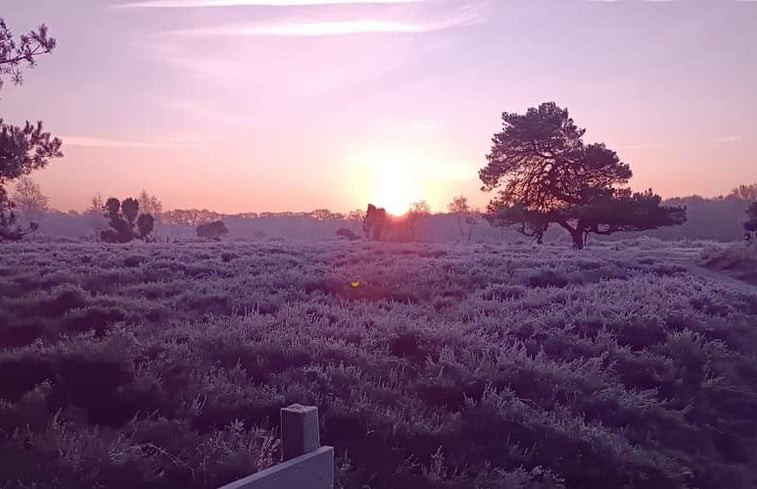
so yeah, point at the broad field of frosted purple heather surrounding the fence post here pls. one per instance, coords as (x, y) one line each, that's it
(481, 366)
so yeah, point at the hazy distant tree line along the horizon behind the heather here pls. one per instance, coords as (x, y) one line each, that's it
(721, 219)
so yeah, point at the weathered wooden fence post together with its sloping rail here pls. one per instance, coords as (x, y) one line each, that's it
(306, 464)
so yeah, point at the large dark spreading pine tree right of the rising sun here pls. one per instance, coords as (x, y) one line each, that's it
(548, 175)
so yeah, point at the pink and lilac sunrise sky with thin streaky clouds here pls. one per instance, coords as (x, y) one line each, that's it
(273, 105)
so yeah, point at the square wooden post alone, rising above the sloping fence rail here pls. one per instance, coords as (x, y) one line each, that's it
(299, 431)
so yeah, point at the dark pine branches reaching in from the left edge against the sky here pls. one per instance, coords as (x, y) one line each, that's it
(22, 148)
